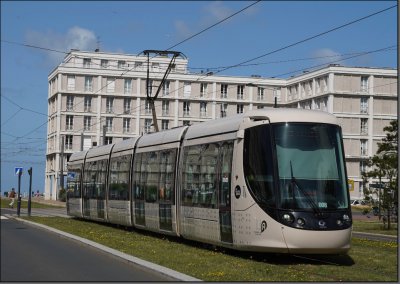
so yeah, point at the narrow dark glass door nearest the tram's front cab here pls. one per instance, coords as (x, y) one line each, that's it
(224, 200)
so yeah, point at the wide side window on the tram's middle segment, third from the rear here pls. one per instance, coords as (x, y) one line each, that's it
(119, 177)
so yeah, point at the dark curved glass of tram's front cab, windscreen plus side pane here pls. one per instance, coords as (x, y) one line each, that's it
(309, 165)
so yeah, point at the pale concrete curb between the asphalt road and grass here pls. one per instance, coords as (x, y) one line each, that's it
(161, 269)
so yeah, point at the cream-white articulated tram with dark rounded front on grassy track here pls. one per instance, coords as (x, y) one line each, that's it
(269, 180)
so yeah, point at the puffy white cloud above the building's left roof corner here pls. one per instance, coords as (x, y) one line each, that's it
(76, 37)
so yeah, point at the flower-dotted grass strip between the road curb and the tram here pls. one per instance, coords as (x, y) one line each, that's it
(366, 261)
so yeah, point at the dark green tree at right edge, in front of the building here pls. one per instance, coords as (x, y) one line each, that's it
(384, 165)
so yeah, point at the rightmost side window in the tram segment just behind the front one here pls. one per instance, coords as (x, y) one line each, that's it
(167, 175)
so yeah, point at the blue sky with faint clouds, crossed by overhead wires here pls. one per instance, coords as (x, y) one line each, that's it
(133, 26)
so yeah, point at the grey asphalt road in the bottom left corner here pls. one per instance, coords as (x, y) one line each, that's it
(32, 254)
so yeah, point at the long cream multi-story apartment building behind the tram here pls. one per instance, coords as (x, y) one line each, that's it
(99, 98)
